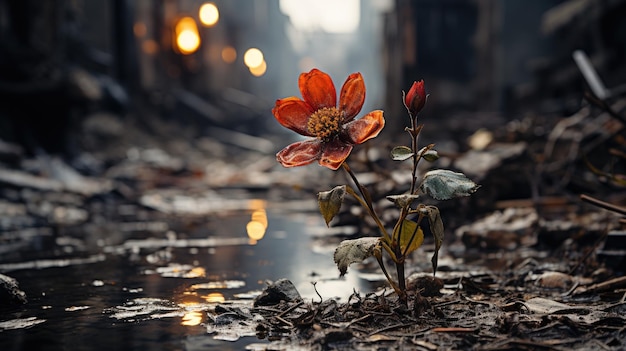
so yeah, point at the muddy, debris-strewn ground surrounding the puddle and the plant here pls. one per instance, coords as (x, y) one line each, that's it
(526, 263)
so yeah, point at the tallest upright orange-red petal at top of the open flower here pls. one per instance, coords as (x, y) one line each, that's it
(317, 89)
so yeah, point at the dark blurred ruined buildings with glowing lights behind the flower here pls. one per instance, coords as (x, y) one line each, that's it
(223, 63)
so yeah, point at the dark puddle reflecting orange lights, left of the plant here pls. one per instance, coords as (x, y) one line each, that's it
(153, 289)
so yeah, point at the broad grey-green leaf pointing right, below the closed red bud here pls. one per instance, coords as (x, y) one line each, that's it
(443, 184)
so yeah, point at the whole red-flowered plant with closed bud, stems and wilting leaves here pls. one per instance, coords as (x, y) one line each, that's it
(334, 131)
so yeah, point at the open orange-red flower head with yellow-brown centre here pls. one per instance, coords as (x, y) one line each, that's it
(317, 115)
